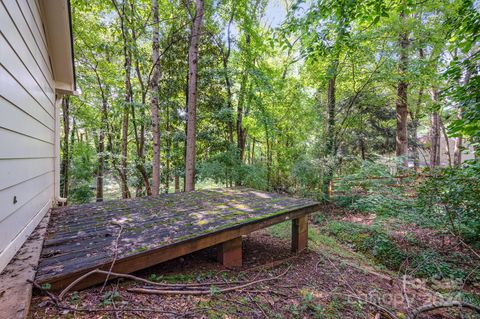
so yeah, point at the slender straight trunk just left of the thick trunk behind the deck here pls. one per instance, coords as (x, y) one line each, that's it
(154, 103)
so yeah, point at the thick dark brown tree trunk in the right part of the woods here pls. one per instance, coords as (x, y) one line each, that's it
(401, 104)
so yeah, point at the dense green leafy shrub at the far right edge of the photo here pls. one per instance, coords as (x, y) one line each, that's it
(453, 199)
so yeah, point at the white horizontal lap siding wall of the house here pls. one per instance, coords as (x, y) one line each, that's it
(27, 124)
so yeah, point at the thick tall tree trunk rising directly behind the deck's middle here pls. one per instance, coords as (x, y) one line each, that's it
(192, 97)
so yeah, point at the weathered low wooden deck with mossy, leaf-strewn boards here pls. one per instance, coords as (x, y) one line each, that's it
(151, 230)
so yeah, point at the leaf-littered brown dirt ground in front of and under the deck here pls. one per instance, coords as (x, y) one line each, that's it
(318, 283)
